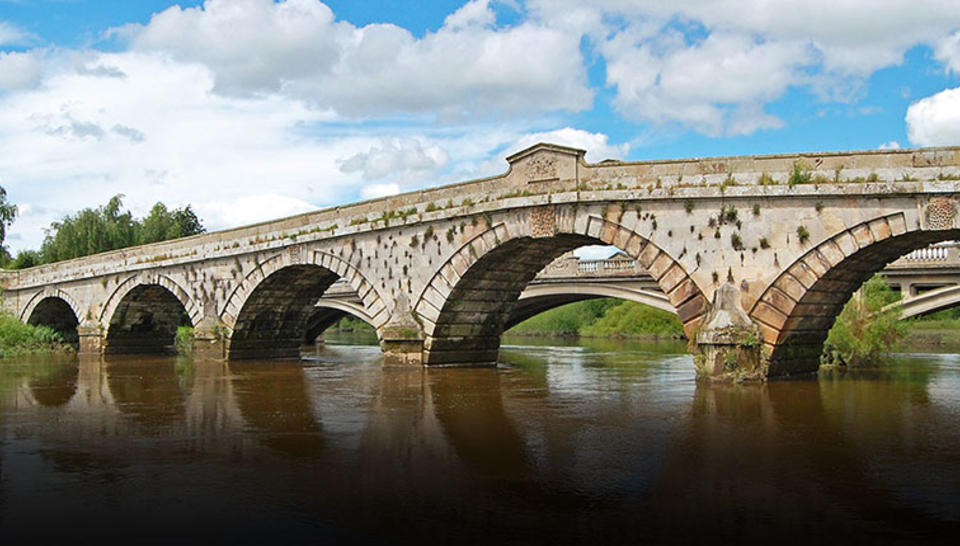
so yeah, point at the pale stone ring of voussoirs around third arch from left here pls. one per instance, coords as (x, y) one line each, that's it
(368, 294)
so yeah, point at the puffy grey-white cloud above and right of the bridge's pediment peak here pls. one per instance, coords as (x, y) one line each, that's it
(715, 86)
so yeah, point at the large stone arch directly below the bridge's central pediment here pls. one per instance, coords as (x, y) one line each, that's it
(466, 304)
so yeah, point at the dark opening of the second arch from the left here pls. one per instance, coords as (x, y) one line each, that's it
(145, 322)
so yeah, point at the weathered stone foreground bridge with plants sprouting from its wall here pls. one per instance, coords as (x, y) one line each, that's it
(757, 254)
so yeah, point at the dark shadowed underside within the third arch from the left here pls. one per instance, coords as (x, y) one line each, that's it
(273, 321)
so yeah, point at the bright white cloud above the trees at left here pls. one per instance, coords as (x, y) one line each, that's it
(161, 134)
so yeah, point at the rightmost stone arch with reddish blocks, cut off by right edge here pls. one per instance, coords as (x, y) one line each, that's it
(796, 311)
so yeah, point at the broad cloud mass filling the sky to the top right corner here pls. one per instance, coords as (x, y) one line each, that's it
(712, 65)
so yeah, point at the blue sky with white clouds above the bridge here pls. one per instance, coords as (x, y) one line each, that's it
(255, 109)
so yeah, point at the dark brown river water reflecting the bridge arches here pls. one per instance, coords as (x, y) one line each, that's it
(606, 442)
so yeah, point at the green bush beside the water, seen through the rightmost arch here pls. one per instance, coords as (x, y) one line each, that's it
(863, 334)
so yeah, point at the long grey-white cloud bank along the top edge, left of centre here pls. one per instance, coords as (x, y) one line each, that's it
(296, 47)
